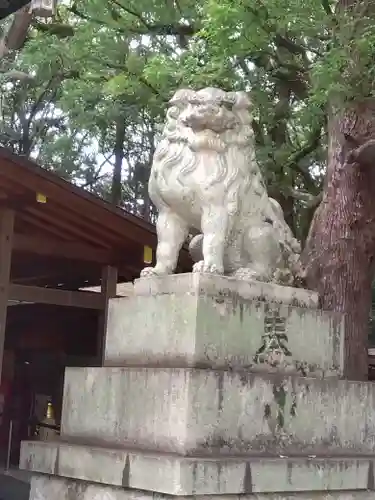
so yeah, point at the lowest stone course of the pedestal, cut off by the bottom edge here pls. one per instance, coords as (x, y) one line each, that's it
(48, 488)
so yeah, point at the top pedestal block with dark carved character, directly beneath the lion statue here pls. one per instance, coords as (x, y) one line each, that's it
(207, 321)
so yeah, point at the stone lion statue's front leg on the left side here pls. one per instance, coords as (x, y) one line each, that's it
(172, 232)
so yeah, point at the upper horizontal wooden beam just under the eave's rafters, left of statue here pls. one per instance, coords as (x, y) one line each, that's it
(64, 249)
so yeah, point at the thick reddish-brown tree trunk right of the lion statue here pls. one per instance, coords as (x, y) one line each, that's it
(340, 249)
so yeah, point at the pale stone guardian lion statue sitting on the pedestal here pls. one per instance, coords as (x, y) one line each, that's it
(205, 176)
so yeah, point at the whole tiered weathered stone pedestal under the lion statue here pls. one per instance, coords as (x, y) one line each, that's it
(214, 387)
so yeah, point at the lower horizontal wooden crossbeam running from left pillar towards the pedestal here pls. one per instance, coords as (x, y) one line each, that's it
(24, 293)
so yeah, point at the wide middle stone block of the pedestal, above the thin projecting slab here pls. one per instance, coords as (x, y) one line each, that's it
(192, 411)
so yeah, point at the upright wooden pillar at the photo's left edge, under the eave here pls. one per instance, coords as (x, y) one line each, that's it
(6, 243)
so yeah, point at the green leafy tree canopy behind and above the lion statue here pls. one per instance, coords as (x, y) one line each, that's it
(123, 59)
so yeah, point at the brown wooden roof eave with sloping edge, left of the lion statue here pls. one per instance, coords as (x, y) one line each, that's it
(58, 220)
